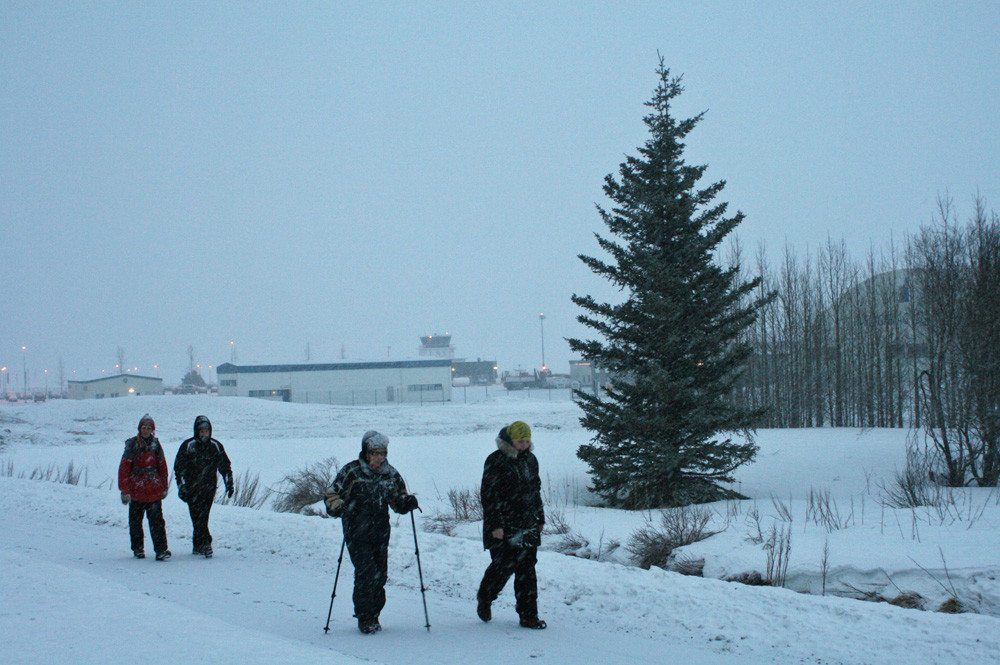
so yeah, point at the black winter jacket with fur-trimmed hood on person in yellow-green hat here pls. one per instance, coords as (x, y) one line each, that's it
(512, 496)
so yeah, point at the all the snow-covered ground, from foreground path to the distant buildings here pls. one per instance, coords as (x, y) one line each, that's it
(72, 593)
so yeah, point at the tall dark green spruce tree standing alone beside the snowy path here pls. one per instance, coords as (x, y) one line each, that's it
(663, 431)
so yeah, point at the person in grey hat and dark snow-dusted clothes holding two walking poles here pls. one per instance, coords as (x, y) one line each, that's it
(361, 496)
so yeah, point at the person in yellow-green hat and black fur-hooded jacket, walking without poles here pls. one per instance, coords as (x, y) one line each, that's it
(513, 518)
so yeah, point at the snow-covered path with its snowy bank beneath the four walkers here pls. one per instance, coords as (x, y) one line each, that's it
(74, 594)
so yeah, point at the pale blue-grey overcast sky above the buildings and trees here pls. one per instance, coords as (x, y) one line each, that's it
(352, 175)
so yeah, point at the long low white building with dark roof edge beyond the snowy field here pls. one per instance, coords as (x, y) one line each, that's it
(395, 381)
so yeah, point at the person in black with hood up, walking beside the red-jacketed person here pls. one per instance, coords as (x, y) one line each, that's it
(199, 461)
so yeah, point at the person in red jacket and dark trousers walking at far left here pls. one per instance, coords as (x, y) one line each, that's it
(144, 481)
